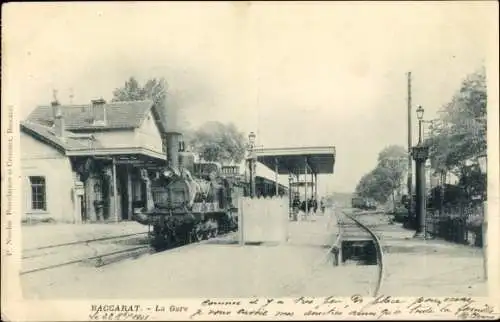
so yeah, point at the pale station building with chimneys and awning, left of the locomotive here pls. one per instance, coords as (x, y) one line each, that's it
(83, 163)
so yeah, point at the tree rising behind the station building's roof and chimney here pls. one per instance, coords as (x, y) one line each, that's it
(154, 89)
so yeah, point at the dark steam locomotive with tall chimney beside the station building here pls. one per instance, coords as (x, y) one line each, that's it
(189, 201)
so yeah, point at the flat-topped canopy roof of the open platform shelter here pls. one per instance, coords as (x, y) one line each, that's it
(320, 160)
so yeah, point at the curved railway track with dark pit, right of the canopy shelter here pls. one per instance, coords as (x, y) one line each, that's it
(357, 239)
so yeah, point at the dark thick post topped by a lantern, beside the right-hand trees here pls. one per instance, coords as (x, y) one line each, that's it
(420, 154)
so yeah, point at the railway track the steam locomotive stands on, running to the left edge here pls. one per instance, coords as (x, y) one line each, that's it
(90, 251)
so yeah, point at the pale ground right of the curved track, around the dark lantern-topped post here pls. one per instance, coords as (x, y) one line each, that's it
(426, 267)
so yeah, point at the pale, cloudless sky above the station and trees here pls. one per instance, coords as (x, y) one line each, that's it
(297, 74)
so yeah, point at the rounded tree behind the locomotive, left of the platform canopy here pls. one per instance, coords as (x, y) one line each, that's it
(215, 141)
